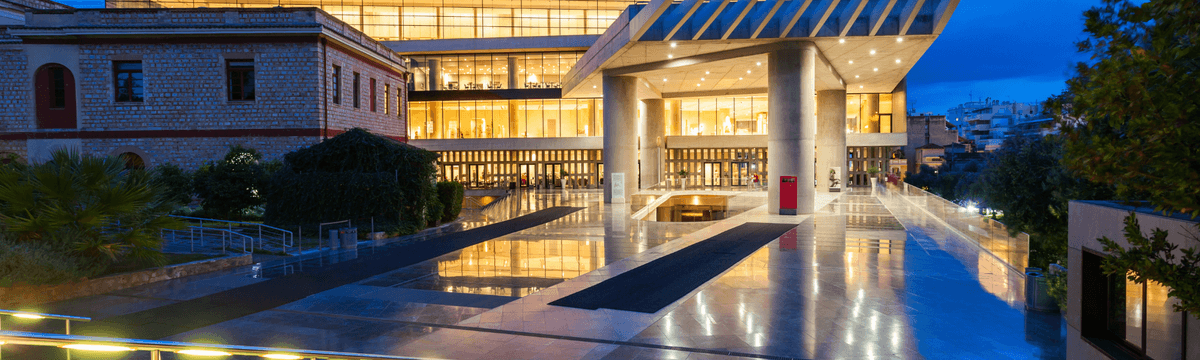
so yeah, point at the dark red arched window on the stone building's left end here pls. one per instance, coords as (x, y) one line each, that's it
(56, 97)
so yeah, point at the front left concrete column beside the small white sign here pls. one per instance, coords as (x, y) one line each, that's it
(621, 134)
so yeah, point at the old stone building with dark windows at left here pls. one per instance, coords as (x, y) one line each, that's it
(182, 86)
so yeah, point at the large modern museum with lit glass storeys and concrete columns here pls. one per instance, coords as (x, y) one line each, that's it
(531, 94)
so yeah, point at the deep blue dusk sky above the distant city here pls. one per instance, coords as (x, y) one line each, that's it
(1021, 51)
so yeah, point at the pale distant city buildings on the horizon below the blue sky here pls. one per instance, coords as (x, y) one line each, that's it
(988, 123)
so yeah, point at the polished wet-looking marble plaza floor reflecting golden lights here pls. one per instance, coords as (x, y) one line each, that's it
(866, 278)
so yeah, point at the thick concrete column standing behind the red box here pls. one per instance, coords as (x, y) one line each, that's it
(791, 92)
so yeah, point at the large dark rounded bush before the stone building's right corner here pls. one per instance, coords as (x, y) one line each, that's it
(355, 176)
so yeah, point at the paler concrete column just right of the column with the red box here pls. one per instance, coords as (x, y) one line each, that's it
(831, 137)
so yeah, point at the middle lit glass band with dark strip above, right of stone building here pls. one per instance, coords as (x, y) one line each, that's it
(491, 71)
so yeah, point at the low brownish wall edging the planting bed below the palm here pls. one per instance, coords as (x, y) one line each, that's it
(26, 296)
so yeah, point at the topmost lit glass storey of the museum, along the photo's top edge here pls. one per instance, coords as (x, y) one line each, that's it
(423, 20)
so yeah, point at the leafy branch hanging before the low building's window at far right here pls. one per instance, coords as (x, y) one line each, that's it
(1156, 260)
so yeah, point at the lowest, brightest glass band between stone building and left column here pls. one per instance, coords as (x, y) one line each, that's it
(483, 119)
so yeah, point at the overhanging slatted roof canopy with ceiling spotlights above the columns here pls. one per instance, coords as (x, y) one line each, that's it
(699, 47)
